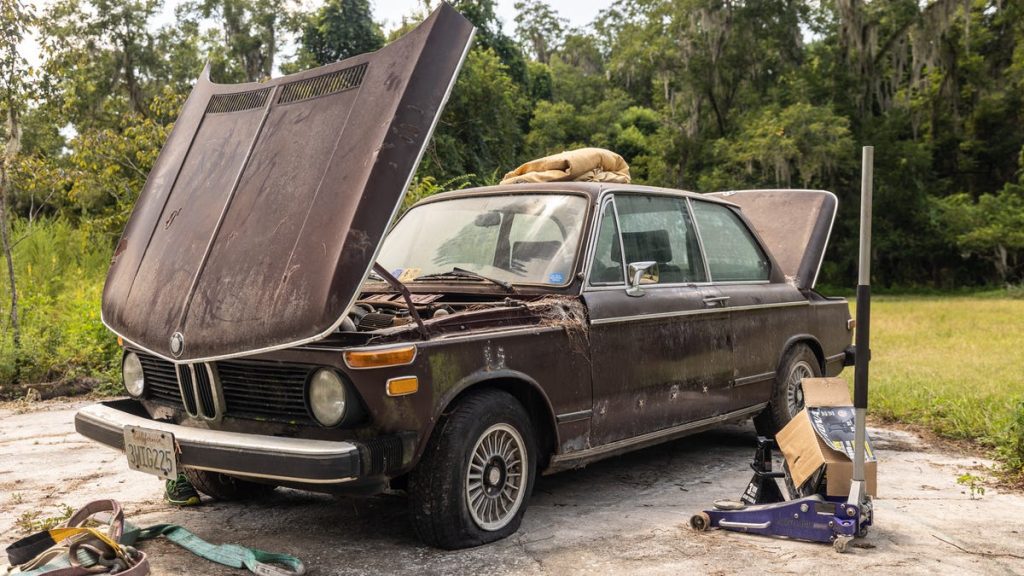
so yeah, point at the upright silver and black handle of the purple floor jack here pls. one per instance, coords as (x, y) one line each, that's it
(858, 491)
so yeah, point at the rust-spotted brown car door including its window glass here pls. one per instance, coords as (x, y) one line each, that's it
(663, 356)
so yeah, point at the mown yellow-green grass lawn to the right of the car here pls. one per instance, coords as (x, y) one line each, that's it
(954, 364)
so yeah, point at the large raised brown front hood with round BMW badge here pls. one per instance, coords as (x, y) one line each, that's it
(268, 205)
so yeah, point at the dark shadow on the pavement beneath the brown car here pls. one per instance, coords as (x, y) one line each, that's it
(344, 534)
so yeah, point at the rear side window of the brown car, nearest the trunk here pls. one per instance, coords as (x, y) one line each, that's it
(734, 255)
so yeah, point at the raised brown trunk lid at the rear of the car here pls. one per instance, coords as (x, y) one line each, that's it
(794, 224)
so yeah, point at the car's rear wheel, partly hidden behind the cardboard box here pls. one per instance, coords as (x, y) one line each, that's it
(788, 395)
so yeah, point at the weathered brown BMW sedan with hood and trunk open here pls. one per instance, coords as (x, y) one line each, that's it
(280, 330)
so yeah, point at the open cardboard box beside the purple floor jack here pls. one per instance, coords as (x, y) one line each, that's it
(821, 439)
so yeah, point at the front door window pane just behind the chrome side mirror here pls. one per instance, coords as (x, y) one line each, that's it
(659, 229)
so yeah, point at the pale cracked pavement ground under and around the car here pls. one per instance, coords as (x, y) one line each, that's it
(624, 516)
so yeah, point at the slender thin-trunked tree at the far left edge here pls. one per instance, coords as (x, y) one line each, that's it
(17, 20)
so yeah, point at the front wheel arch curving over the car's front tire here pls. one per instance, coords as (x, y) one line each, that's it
(526, 390)
